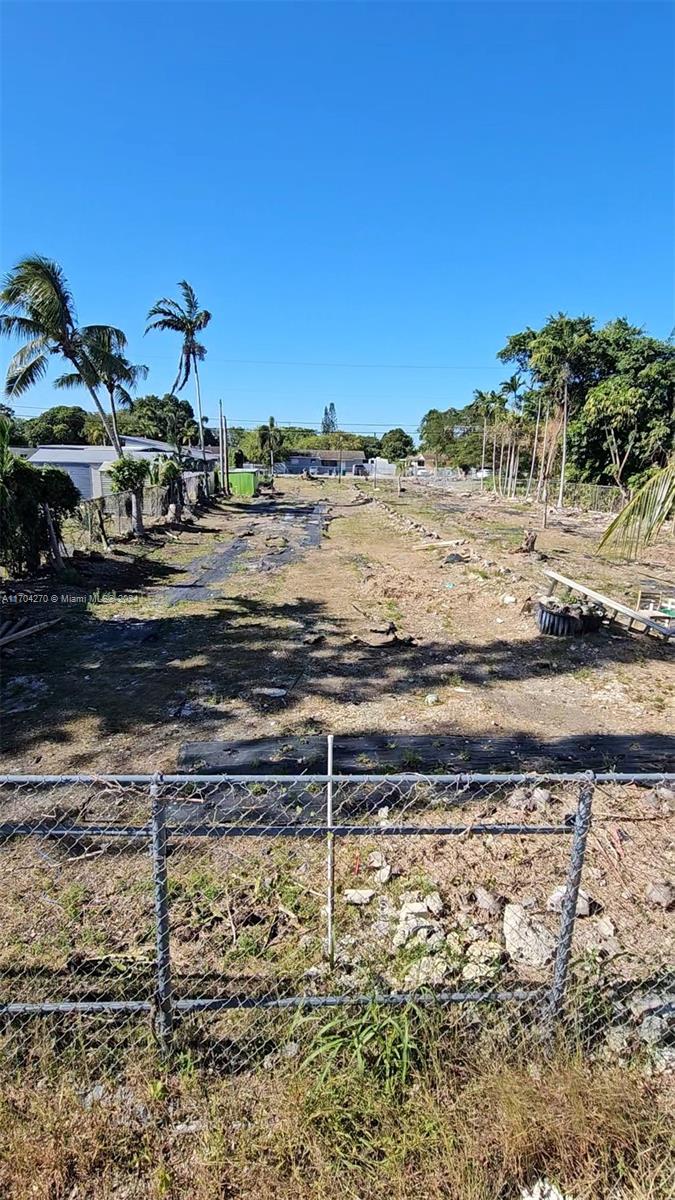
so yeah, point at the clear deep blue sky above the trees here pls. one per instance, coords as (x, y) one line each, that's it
(369, 197)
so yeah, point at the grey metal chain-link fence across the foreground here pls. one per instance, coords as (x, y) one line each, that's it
(207, 915)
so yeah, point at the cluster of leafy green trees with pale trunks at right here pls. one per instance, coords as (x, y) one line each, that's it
(586, 403)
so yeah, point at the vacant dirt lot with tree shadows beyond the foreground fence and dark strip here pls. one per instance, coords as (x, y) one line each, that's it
(283, 595)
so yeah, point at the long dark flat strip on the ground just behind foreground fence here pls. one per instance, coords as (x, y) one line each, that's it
(391, 754)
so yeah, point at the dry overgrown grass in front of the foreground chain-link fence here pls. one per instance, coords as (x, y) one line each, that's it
(377, 1103)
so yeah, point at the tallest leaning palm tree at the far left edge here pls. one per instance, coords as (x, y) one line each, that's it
(37, 305)
